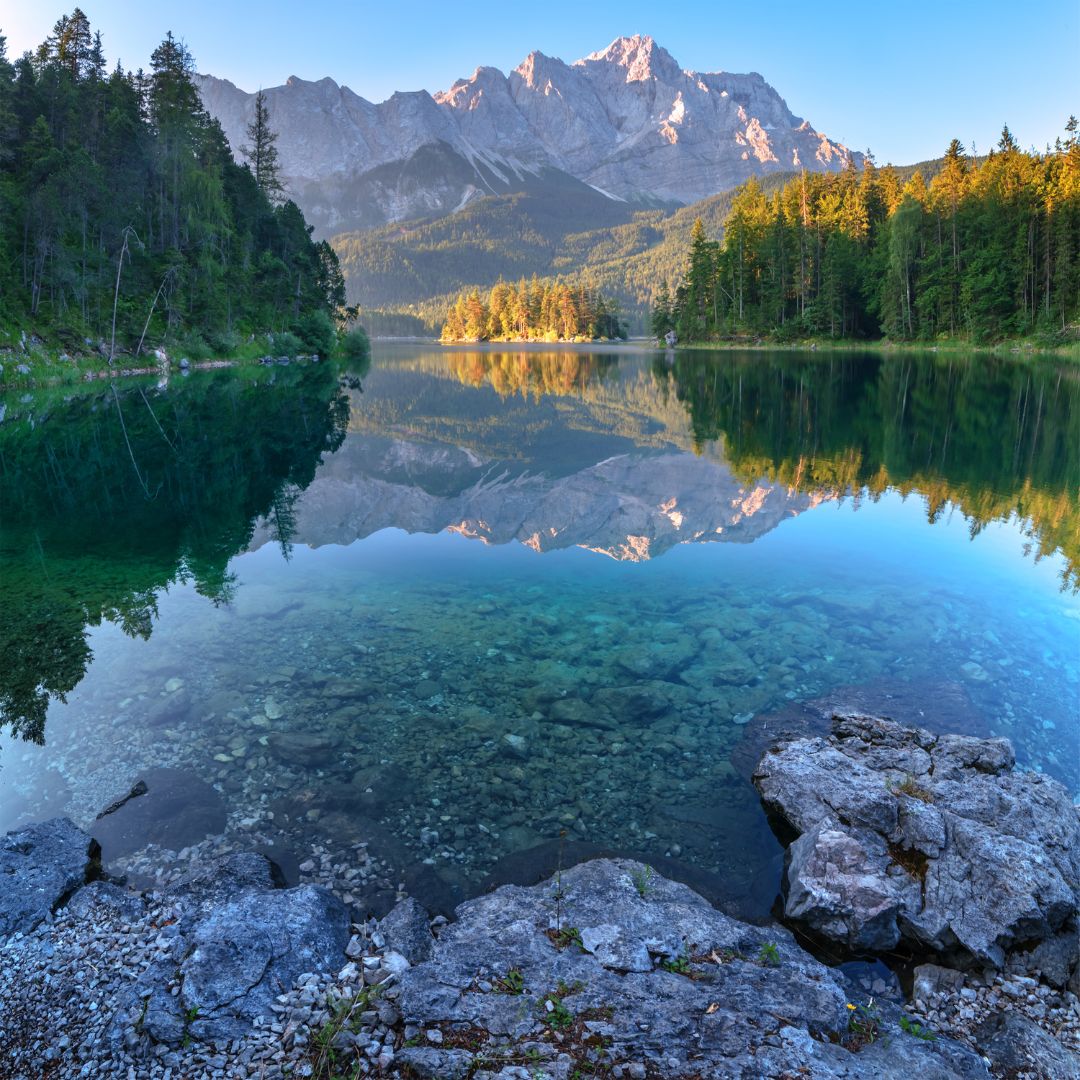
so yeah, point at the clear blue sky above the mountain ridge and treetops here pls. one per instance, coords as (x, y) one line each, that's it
(901, 79)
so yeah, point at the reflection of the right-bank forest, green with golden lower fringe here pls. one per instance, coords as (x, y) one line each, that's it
(998, 440)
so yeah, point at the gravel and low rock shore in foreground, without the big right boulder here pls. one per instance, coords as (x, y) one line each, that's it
(369, 995)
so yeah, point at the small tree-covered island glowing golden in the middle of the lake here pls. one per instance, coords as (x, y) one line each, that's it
(535, 312)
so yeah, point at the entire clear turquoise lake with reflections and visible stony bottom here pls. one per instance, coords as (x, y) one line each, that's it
(481, 611)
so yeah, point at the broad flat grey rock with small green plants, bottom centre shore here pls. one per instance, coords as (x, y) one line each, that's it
(612, 954)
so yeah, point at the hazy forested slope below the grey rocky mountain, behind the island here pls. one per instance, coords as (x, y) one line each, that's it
(406, 276)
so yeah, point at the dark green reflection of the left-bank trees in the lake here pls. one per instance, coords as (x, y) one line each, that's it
(109, 498)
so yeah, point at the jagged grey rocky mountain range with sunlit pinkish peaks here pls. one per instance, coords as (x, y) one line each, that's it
(627, 123)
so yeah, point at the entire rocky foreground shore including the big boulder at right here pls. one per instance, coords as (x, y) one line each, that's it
(609, 969)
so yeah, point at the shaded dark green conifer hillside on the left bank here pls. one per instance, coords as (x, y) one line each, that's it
(126, 221)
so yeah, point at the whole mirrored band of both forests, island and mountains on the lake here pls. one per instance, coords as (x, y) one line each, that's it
(110, 497)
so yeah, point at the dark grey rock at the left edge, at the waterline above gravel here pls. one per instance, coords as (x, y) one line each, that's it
(40, 868)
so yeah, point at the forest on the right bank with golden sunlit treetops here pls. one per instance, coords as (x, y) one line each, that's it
(988, 250)
